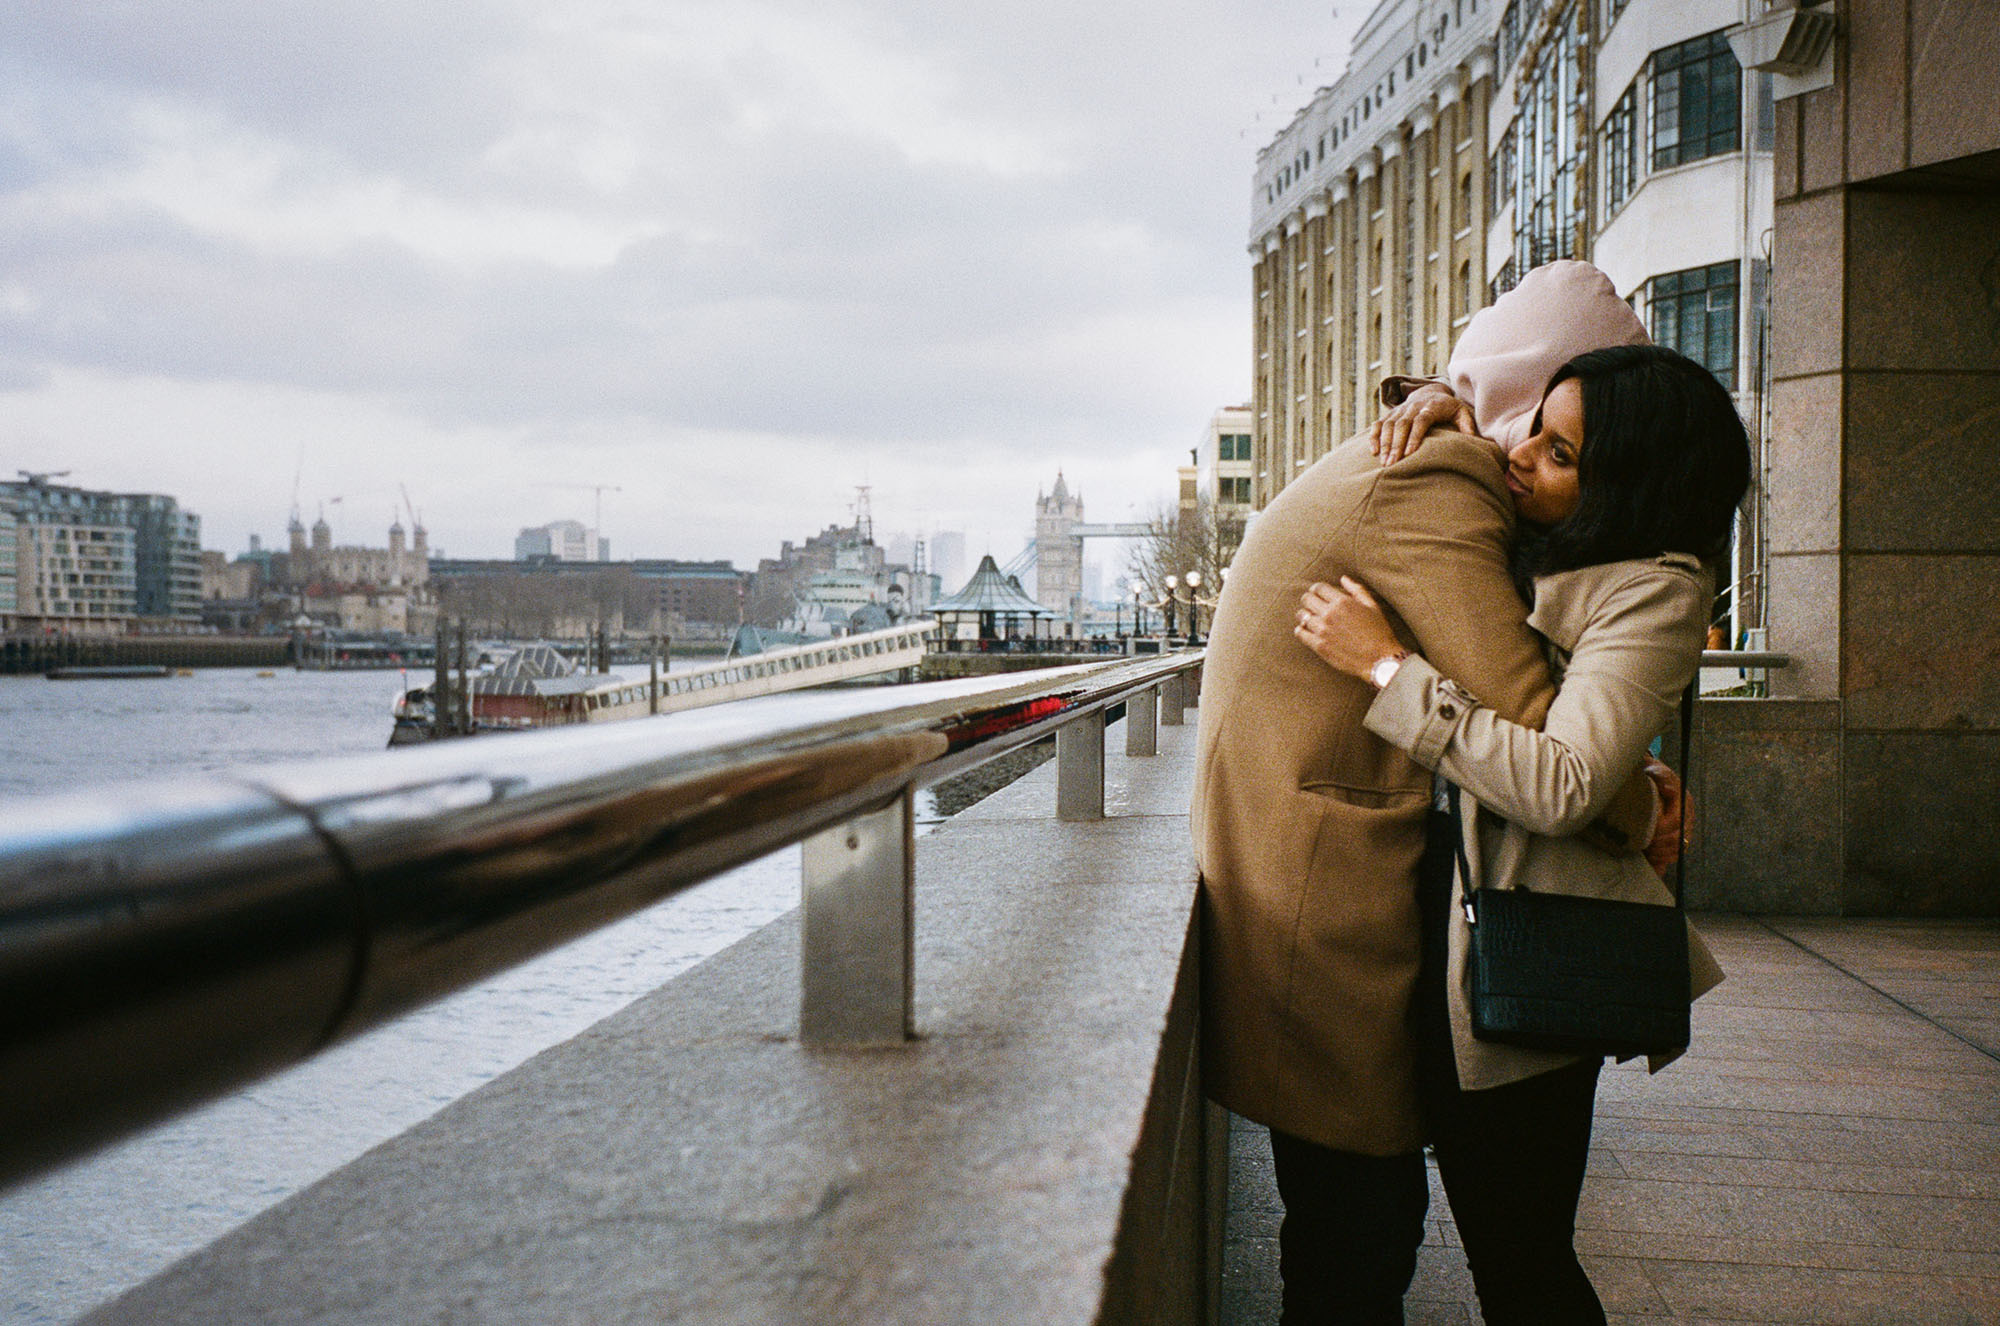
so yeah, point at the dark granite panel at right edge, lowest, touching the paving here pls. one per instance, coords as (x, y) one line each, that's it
(1923, 839)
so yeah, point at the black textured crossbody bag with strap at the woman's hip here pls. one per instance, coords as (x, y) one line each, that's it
(1579, 975)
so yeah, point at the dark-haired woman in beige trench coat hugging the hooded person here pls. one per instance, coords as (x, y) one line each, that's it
(1627, 489)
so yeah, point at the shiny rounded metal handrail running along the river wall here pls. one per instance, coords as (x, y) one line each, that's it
(163, 943)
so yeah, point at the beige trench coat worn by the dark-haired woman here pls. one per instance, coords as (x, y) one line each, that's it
(1627, 639)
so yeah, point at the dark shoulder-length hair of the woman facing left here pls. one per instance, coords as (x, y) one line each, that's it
(1663, 469)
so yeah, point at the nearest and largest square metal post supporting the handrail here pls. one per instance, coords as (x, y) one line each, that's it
(857, 931)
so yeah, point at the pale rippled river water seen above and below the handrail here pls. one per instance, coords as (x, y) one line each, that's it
(79, 1237)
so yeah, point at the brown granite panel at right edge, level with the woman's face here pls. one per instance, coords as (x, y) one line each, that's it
(1923, 463)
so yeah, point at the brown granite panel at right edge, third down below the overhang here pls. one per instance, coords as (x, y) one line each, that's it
(1921, 643)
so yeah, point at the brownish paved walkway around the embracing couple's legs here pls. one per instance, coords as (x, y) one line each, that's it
(1827, 1153)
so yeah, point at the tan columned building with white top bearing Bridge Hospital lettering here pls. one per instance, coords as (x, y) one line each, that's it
(1369, 245)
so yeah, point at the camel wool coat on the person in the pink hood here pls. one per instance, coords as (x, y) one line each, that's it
(1309, 827)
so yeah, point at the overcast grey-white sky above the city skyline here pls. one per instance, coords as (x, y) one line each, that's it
(731, 257)
